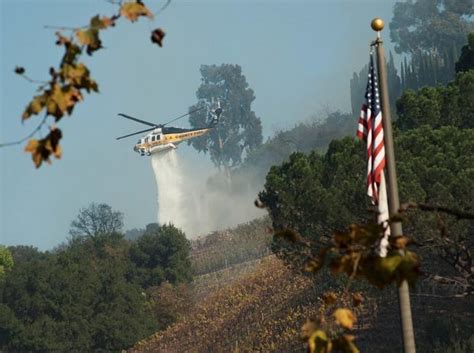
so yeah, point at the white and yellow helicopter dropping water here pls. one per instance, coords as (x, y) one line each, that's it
(162, 138)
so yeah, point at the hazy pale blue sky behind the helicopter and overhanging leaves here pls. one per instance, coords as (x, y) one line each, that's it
(297, 56)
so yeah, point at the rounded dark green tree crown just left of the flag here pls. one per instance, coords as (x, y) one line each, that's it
(315, 194)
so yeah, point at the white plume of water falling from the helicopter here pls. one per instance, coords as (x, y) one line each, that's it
(187, 198)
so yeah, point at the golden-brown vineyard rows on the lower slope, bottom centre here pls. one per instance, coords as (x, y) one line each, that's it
(250, 314)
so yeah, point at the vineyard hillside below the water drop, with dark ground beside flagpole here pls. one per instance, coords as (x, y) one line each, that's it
(260, 305)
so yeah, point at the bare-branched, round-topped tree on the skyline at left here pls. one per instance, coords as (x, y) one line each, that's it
(96, 219)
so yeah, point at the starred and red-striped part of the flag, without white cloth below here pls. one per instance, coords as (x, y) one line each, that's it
(371, 130)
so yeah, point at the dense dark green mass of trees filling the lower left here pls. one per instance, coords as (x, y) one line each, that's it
(93, 293)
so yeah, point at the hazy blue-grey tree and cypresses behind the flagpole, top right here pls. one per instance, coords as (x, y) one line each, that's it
(431, 34)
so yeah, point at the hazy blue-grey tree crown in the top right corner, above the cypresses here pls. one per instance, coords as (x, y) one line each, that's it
(430, 26)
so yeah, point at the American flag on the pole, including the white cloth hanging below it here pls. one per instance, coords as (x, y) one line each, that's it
(371, 130)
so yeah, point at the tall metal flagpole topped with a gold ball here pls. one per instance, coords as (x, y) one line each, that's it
(392, 190)
